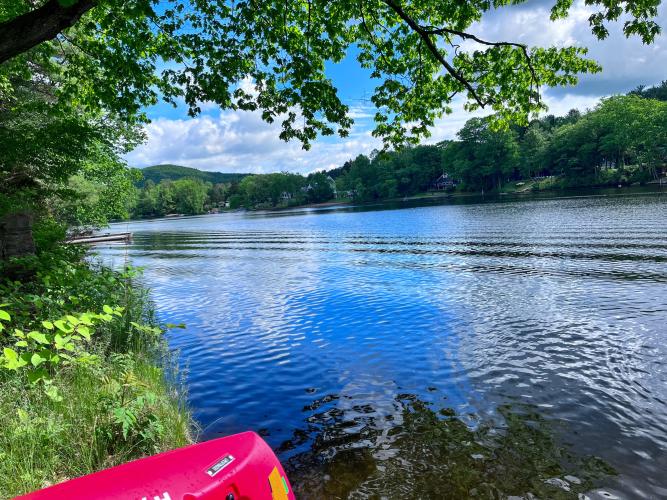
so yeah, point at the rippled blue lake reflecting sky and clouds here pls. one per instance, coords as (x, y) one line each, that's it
(453, 350)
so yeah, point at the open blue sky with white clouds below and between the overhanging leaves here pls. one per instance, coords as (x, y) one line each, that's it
(228, 141)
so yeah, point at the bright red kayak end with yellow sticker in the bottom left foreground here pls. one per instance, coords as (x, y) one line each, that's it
(238, 467)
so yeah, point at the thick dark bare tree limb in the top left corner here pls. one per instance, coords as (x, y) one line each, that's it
(28, 30)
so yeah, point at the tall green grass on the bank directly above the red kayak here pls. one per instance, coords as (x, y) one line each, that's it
(43, 442)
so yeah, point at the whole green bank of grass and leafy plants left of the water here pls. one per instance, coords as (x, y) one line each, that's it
(83, 372)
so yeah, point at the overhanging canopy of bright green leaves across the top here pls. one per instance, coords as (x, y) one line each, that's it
(122, 55)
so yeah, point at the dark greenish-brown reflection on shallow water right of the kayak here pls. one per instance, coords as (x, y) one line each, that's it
(414, 452)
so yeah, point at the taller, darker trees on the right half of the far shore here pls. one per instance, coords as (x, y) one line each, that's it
(623, 140)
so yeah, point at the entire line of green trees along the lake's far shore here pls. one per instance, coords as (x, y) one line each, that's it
(623, 140)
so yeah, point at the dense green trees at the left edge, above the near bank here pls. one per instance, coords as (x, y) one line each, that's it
(60, 154)
